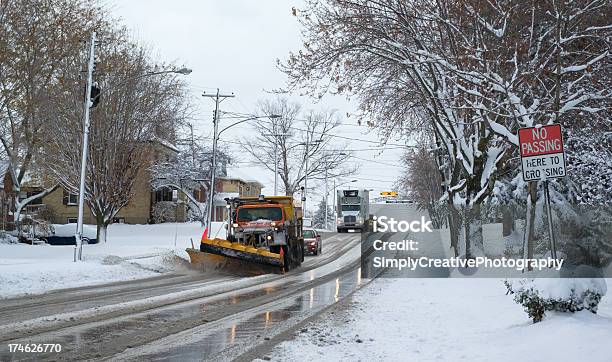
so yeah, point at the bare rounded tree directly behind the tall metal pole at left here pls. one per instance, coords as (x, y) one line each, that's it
(136, 113)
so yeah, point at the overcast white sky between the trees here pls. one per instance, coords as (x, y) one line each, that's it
(233, 45)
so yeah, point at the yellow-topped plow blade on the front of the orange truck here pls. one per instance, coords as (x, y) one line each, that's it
(235, 258)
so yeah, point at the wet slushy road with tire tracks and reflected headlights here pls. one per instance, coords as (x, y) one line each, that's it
(182, 317)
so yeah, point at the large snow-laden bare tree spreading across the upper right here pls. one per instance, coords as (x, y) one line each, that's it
(472, 72)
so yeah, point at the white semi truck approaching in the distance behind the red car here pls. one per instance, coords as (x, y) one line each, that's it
(353, 212)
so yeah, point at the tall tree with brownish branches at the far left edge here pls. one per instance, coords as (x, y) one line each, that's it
(35, 35)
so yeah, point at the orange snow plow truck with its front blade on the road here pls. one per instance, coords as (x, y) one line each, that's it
(264, 235)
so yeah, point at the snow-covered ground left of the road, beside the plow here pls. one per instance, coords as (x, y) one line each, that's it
(131, 252)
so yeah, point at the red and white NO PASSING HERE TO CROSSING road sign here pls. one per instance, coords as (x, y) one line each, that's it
(542, 152)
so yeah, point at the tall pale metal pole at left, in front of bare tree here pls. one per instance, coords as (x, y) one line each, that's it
(78, 247)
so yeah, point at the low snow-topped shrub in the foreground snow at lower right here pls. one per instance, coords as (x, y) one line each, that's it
(557, 294)
